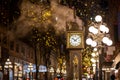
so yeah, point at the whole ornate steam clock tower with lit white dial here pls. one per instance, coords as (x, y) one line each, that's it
(75, 42)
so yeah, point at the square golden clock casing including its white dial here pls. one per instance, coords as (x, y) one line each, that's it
(75, 39)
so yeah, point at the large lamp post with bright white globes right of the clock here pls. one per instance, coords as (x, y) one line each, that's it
(97, 36)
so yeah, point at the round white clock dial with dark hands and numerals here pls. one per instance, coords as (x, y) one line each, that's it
(75, 40)
